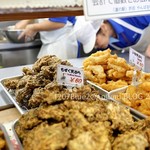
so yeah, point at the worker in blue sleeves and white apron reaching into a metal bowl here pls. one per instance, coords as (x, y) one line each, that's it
(55, 34)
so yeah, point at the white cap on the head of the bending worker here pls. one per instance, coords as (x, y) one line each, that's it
(86, 33)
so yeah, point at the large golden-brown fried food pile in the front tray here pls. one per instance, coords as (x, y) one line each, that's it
(90, 124)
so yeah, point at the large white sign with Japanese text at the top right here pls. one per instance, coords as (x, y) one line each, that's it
(103, 9)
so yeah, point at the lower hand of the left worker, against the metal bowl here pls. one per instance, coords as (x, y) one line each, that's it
(28, 33)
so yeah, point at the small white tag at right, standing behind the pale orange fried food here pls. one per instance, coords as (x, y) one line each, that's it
(136, 59)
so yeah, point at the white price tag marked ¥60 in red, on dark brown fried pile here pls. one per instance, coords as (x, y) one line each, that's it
(69, 76)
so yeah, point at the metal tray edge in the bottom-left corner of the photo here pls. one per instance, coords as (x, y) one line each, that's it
(9, 145)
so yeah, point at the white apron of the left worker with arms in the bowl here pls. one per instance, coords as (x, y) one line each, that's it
(60, 42)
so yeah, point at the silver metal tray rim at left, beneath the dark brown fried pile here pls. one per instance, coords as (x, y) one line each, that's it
(11, 94)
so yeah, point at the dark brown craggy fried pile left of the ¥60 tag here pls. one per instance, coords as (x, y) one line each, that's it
(29, 89)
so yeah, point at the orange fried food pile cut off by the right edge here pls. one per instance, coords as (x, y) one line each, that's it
(136, 96)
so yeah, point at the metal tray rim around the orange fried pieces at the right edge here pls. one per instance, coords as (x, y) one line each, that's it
(132, 110)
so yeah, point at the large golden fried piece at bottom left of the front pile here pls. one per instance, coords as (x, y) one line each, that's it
(44, 137)
